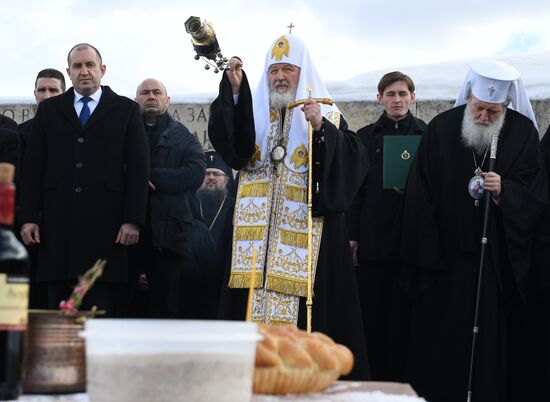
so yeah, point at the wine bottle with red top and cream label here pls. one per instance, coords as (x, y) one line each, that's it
(14, 290)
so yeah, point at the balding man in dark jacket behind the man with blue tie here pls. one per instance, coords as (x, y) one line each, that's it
(177, 170)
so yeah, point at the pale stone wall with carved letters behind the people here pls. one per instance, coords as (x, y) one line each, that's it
(358, 114)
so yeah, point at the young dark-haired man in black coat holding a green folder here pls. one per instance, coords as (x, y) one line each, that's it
(374, 225)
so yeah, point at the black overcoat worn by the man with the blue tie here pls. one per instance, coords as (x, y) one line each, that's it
(81, 183)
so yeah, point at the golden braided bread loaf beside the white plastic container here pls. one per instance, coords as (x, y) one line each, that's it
(289, 360)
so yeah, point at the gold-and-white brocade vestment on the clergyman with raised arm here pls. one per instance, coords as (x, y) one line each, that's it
(271, 219)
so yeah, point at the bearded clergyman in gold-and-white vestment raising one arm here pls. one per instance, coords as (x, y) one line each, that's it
(268, 143)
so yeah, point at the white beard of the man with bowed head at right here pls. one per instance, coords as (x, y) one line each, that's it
(477, 136)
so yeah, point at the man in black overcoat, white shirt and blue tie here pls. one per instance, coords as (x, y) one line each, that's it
(84, 185)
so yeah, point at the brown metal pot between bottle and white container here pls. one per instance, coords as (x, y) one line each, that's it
(54, 357)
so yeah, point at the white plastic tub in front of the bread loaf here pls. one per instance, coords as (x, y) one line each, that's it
(169, 360)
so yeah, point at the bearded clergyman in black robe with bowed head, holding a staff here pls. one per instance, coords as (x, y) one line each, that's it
(442, 235)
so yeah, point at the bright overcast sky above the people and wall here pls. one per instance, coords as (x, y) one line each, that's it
(140, 39)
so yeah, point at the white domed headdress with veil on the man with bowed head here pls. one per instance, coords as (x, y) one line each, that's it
(496, 82)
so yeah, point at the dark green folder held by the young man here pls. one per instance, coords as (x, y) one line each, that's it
(399, 151)
